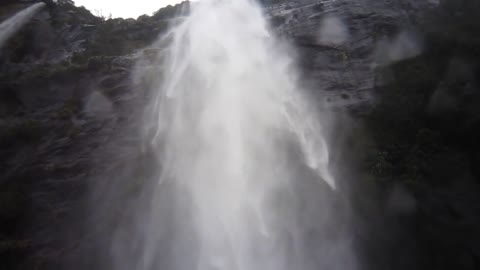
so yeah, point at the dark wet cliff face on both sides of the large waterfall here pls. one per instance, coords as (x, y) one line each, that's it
(404, 70)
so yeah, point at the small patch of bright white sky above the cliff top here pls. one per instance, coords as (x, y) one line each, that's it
(124, 8)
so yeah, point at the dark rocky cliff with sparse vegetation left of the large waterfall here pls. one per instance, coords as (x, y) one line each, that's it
(65, 92)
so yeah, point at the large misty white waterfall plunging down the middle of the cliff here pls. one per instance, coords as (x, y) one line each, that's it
(245, 181)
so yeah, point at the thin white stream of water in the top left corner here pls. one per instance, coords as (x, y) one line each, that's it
(10, 26)
